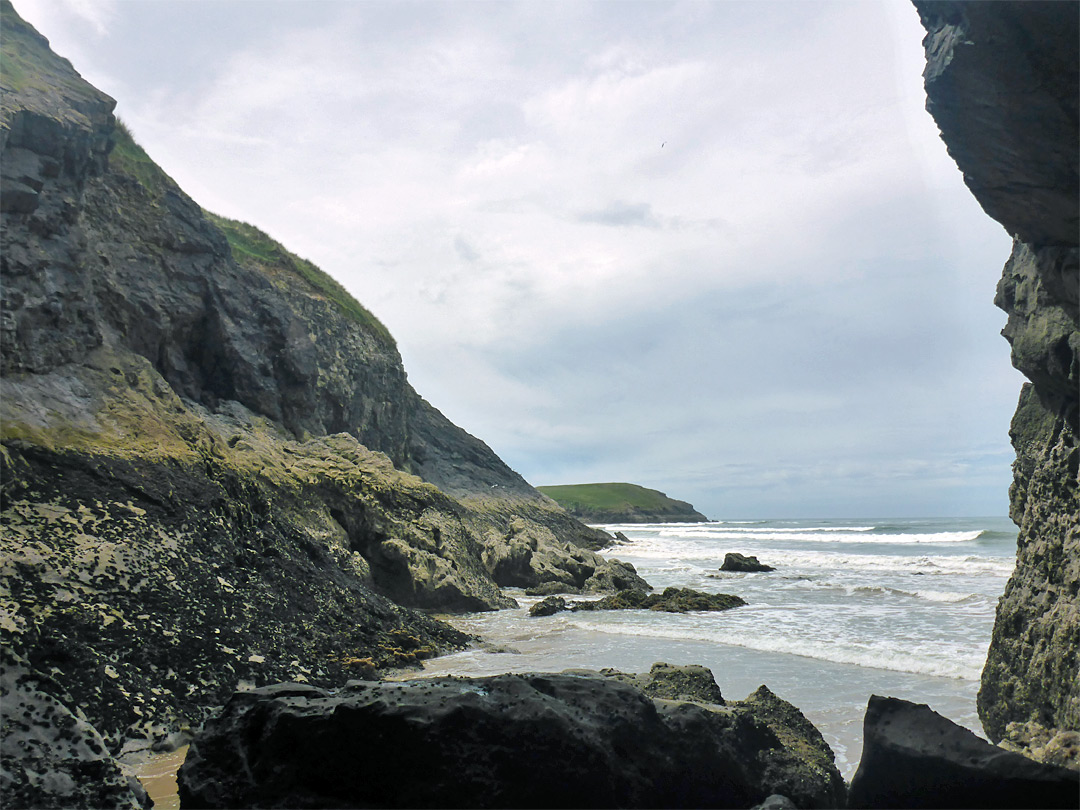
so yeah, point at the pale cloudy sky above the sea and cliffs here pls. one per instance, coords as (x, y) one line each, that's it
(715, 249)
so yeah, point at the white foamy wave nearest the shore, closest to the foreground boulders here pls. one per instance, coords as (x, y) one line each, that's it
(934, 661)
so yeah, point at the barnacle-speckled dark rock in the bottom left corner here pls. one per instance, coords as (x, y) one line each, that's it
(50, 758)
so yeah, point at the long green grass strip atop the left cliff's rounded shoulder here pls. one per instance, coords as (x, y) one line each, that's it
(254, 249)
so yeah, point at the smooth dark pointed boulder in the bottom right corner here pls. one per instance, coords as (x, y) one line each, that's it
(913, 758)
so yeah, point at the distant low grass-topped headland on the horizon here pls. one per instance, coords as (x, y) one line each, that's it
(622, 504)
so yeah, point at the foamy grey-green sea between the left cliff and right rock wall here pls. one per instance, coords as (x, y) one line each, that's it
(855, 607)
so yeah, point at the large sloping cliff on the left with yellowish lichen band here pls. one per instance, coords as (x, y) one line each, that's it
(214, 469)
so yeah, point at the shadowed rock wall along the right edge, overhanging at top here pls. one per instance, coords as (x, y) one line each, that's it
(1002, 83)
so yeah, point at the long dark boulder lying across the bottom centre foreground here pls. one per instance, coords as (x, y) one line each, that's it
(537, 740)
